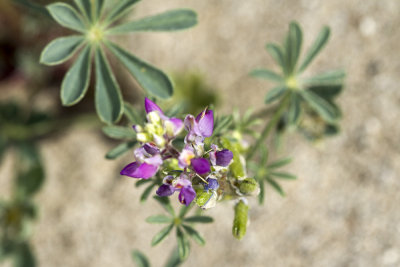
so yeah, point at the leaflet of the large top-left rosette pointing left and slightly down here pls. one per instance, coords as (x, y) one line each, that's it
(60, 50)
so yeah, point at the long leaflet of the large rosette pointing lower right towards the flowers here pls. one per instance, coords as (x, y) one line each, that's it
(150, 78)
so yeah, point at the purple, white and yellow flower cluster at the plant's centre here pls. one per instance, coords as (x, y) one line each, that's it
(196, 173)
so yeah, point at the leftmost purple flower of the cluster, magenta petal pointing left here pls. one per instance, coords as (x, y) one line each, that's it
(148, 160)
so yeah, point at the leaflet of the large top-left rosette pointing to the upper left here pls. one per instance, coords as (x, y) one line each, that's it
(66, 16)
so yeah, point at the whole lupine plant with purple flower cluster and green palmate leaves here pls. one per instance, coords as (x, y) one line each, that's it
(202, 158)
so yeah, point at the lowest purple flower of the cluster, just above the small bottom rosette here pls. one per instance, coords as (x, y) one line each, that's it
(182, 184)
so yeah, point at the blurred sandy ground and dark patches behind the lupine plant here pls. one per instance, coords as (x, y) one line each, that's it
(342, 211)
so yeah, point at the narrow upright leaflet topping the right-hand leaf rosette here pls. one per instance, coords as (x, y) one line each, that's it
(293, 46)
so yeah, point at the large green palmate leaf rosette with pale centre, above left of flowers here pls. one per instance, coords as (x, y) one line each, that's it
(94, 27)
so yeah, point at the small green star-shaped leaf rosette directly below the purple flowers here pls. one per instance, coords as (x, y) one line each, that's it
(181, 223)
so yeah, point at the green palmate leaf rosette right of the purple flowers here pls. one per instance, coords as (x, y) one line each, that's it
(302, 96)
